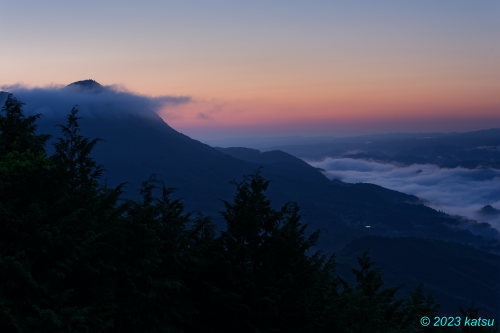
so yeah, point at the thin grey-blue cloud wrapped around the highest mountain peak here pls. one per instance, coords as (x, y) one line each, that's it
(106, 100)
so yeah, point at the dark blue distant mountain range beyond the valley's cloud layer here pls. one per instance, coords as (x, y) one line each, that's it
(479, 149)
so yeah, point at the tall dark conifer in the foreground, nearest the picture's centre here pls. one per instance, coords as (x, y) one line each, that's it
(272, 271)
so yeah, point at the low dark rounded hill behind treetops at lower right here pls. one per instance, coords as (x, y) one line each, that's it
(409, 261)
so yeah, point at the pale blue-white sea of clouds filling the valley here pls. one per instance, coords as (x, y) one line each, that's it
(457, 191)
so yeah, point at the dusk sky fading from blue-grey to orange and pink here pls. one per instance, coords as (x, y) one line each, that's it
(272, 67)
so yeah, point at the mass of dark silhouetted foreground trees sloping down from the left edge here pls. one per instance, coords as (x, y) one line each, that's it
(75, 256)
